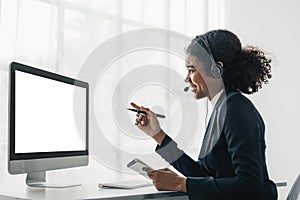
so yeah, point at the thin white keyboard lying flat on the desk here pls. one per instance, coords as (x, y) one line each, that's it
(129, 184)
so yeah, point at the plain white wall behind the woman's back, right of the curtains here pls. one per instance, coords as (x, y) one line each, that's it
(274, 26)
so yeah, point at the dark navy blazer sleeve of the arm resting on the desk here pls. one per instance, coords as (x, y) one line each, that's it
(242, 129)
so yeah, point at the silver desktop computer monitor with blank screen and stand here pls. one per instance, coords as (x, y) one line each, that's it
(48, 126)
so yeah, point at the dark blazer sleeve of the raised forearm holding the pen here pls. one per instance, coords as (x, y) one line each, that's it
(178, 159)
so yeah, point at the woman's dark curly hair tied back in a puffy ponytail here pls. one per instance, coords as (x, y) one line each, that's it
(245, 68)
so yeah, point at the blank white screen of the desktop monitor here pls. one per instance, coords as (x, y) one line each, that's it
(44, 117)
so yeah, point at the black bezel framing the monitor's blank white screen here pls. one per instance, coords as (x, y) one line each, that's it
(15, 66)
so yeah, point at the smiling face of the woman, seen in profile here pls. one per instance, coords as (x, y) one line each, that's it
(197, 77)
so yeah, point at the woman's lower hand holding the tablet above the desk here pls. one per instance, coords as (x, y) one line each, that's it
(165, 179)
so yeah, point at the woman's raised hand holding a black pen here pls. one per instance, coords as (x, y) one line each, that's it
(148, 123)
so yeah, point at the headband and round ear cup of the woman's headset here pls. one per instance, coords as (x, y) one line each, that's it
(216, 70)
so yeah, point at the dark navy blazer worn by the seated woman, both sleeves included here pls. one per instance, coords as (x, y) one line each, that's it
(232, 163)
